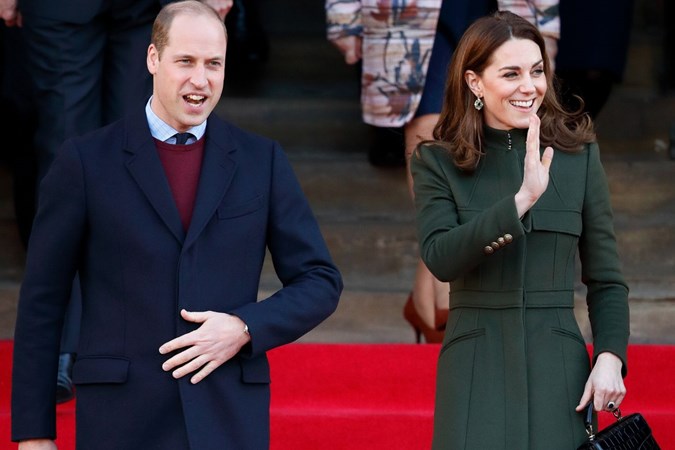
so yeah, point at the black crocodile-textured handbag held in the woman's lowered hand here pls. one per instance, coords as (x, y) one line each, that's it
(627, 433)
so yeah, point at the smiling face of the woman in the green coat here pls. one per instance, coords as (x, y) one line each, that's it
(512, 86)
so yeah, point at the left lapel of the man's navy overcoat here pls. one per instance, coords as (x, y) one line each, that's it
(146, 169)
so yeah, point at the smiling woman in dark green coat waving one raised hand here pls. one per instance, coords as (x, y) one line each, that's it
(507, 192)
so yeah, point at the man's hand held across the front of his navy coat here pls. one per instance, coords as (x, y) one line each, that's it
(216, 341)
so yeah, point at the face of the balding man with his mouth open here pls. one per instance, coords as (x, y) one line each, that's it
(188, 76)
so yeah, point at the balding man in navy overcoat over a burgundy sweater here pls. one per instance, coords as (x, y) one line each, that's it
(167, 215)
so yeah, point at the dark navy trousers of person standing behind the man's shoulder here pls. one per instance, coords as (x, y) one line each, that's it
(87, 75)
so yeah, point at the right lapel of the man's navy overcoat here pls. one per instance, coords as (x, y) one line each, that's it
(218, 168)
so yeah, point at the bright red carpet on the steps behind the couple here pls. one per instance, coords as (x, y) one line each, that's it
(380, 396)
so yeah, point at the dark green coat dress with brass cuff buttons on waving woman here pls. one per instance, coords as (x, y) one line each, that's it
(513, 364)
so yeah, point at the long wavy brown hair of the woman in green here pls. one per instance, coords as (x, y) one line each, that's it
(460, 126)
